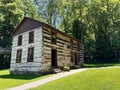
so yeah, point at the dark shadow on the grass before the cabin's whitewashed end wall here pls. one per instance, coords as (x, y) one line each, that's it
(16, 76)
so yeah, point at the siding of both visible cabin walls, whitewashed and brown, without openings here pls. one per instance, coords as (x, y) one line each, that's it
(65, 46)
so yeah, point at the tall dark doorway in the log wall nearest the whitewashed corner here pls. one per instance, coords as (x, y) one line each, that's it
(53, 57)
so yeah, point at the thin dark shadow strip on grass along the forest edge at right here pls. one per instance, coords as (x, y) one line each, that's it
(101, 65)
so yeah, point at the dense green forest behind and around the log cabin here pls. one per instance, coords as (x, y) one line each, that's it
(96, 23)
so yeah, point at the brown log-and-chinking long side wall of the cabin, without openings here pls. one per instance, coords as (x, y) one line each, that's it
(65, 47)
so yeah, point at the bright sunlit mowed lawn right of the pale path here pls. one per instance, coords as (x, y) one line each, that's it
(92, 79)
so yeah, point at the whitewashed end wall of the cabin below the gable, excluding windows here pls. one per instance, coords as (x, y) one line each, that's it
(27, 67)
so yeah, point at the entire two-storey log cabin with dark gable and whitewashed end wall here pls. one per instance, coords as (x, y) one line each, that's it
(38, 48)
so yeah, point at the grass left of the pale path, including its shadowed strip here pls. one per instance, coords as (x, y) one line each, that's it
(7, 80)
